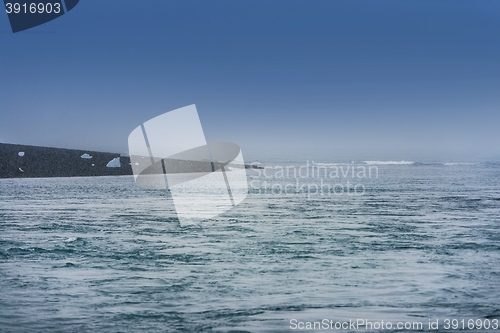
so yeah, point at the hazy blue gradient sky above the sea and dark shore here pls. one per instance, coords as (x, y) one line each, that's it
(388, 79)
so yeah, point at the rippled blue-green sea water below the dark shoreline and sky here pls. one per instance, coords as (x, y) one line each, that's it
(415, 242)
